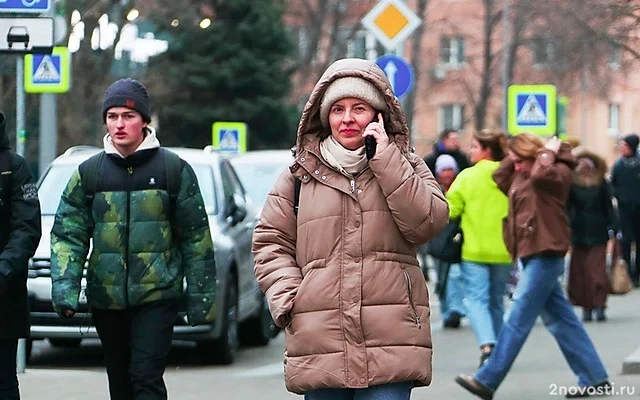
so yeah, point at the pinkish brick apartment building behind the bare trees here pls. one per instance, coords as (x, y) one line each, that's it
(601, 107)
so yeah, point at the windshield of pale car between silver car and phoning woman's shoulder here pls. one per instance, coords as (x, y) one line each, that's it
(259, 178)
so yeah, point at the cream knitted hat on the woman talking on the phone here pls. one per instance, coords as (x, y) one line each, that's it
(350, 86)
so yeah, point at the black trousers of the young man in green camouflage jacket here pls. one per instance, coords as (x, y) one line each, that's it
(136, 342)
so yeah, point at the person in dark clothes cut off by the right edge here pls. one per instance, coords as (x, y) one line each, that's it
(625, 181)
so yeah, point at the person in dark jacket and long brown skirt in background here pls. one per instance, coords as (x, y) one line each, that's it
(593, 222)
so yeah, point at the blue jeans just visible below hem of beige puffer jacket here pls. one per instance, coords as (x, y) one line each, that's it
(389, 391)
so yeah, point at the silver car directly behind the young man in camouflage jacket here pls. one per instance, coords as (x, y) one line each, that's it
(242, 314)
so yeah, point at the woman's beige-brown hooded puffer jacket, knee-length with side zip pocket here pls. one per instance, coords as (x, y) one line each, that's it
(342, 277)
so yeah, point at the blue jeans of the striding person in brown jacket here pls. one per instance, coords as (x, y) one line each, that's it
(539, 293)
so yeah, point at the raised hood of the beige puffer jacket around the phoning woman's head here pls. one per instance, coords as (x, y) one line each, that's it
(310, 127)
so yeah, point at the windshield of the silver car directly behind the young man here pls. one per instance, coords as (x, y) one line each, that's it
(53, 184)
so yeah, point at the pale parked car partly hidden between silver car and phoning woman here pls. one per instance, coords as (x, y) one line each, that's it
(258, 171)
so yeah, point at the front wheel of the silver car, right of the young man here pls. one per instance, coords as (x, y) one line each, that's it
(224, 349)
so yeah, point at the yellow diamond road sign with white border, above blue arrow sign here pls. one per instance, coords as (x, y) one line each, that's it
(391, 22)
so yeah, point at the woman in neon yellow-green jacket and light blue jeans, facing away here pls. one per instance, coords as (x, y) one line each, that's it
(486, 264)
